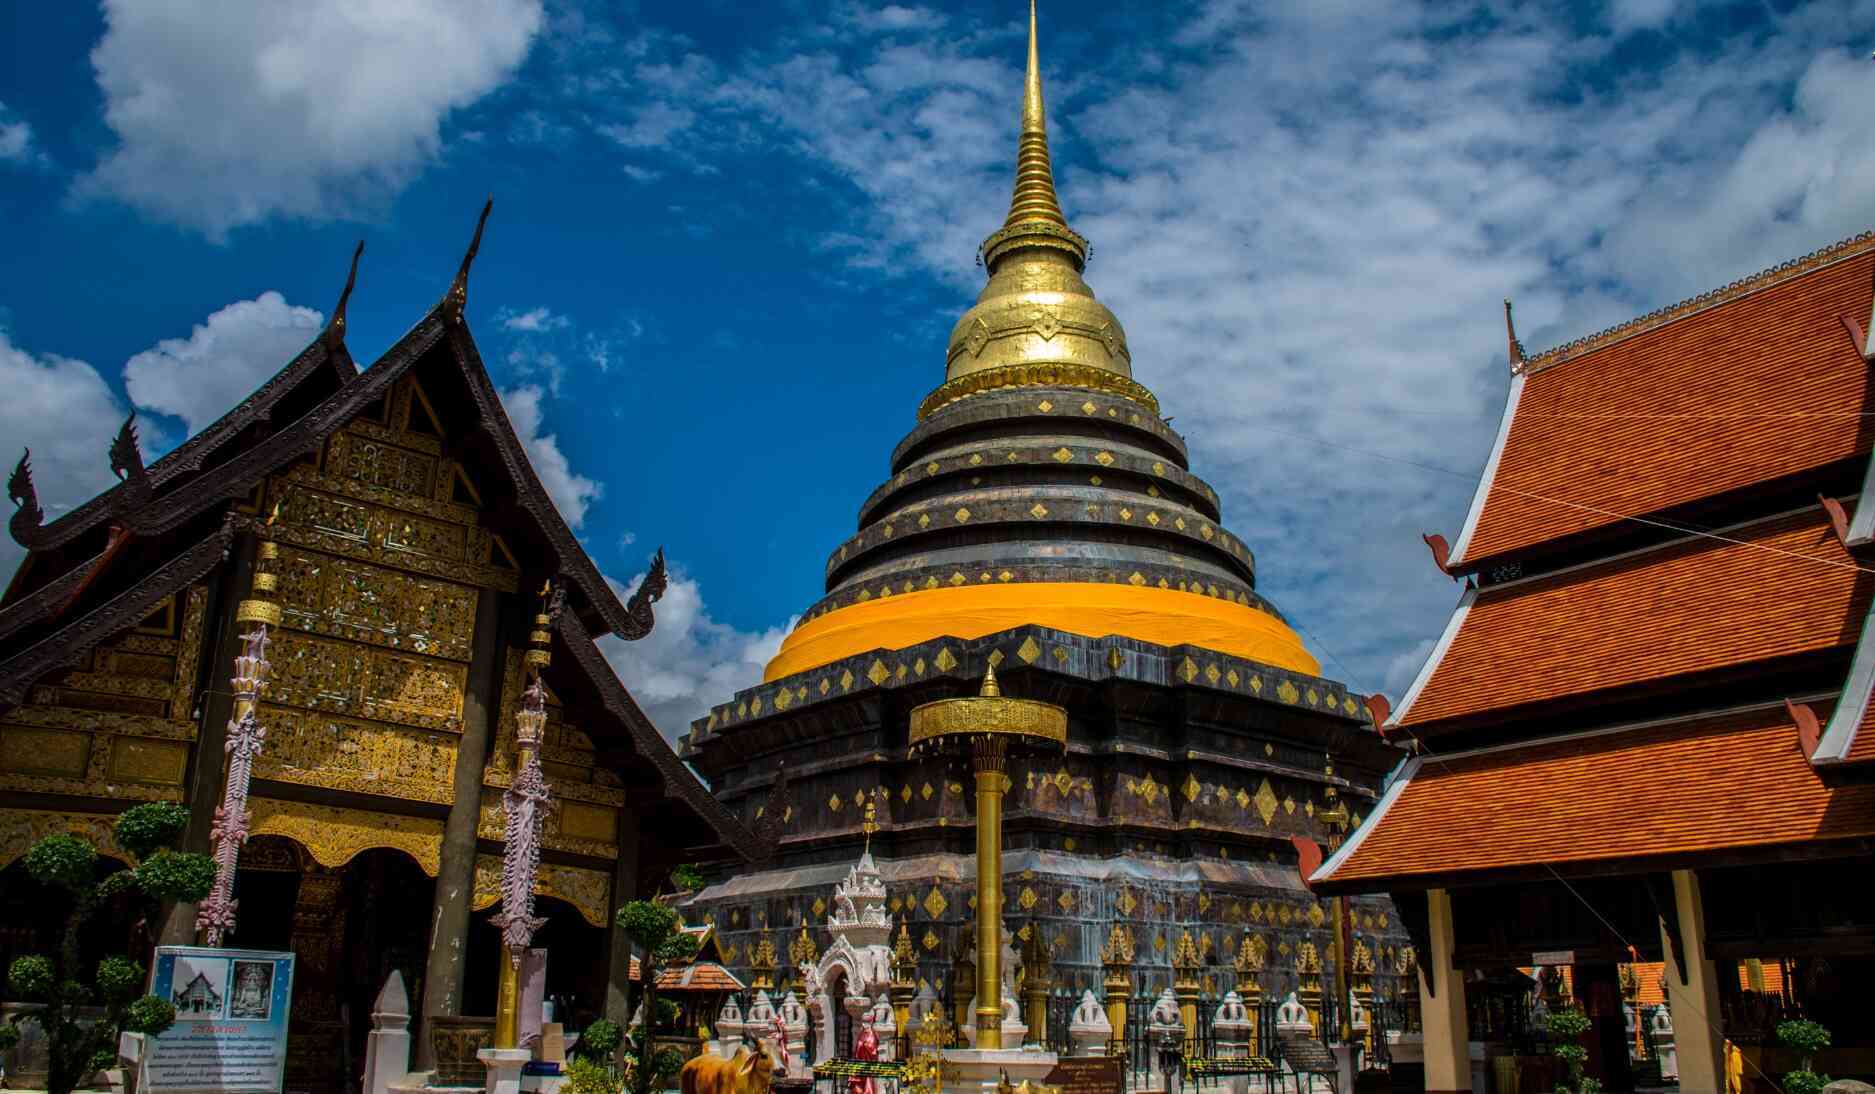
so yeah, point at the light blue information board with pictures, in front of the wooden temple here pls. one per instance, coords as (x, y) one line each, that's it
(232, 1022)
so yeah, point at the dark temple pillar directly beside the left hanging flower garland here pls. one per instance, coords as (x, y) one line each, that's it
(207, 763)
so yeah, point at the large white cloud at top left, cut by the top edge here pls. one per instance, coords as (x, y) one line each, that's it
(232, 114)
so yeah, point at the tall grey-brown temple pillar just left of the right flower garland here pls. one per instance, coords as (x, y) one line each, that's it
(449, 934)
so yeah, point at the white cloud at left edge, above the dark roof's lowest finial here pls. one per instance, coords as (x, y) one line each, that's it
(65, 412)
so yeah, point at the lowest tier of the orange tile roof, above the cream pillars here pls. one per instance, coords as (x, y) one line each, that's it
(1698, 785)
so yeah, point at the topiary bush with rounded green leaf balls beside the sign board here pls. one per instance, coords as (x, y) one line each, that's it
(57, 984)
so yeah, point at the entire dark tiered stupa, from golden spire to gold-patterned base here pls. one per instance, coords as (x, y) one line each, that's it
(1042, 517)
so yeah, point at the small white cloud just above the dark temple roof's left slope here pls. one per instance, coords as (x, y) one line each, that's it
(222, 361)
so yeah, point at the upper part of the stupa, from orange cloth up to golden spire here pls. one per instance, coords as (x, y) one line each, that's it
(1042, 485)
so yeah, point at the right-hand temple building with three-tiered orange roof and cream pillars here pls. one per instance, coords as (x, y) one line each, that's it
(1645, 733)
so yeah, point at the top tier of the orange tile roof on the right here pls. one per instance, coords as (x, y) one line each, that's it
(1675, 410)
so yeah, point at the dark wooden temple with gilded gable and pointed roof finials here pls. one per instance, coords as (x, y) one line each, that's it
(412, 543)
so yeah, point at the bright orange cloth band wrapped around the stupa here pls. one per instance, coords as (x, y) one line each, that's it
(1088, 609)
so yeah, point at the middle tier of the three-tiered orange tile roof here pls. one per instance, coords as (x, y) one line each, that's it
(1683, 609)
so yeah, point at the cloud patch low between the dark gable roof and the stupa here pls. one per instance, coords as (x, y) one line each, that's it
(689, 661)
